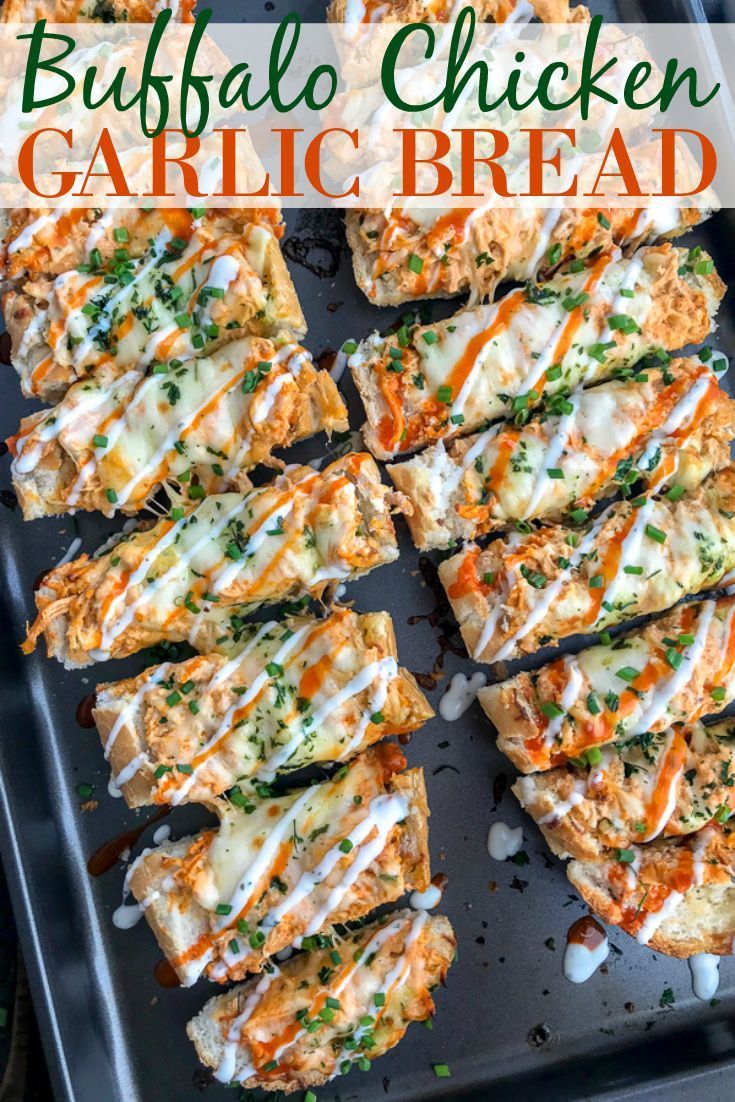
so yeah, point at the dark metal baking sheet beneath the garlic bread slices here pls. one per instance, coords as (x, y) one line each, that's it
(509, 1023)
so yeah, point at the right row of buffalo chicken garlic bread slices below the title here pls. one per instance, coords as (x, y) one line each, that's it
(618, 770)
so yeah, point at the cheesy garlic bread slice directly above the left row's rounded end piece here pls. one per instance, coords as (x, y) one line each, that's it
(282, 869)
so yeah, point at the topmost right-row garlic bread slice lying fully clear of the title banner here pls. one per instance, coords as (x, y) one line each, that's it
(449, 380)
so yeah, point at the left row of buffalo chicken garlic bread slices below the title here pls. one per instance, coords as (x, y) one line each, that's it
(168, 340)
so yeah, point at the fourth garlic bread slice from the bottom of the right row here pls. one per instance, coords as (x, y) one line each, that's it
(642, 556)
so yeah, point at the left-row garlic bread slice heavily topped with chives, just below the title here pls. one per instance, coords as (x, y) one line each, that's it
(185, 296)
